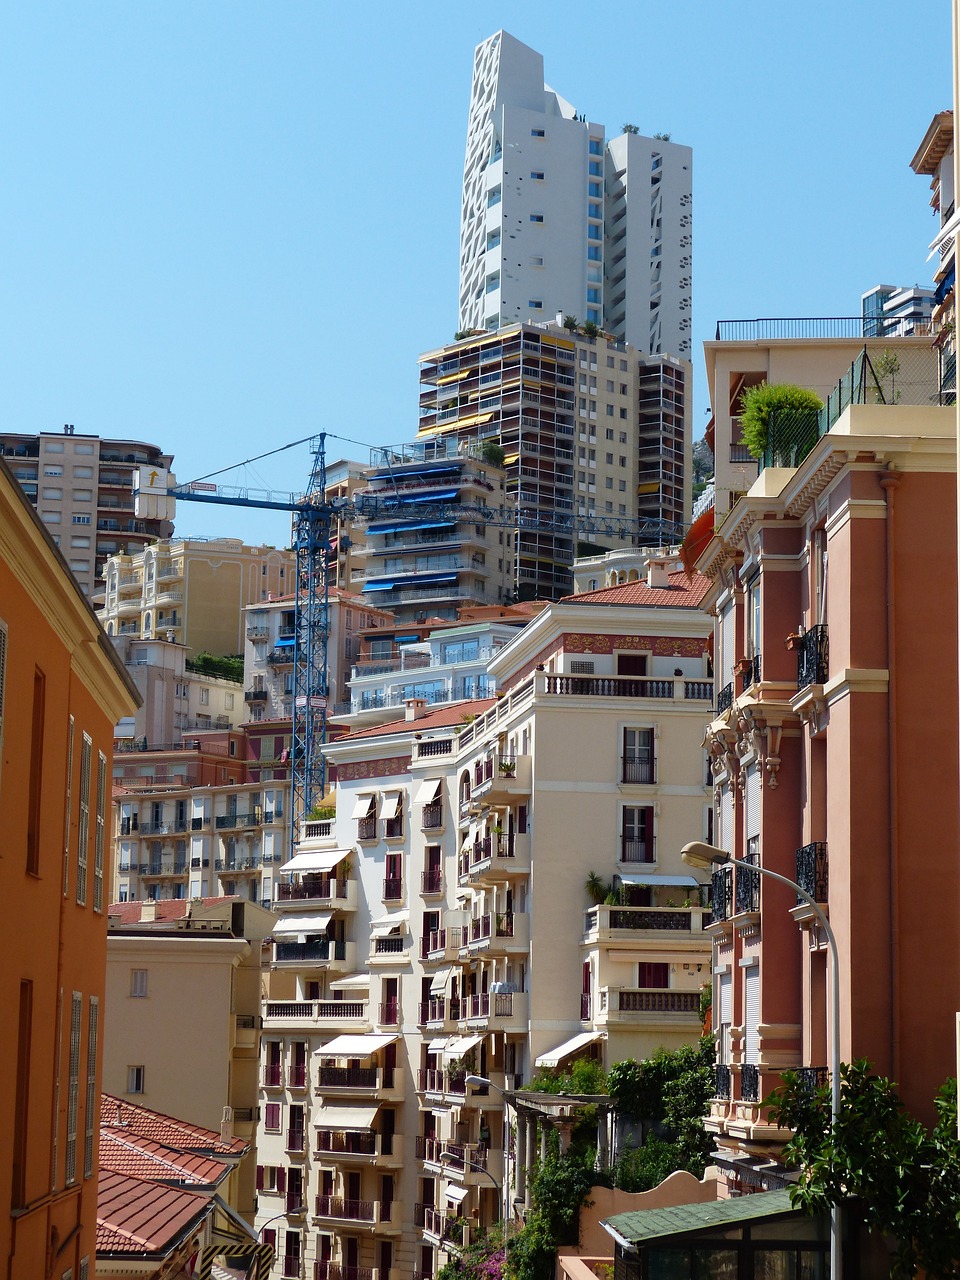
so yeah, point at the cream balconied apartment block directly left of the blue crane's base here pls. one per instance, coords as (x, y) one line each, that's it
(190, 840)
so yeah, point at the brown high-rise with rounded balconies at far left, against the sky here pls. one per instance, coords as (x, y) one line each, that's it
(83, 488)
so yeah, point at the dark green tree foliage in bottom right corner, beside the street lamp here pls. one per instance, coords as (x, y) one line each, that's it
(906, 1177)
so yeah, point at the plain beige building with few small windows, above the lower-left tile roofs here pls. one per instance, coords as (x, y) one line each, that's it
(212, 948)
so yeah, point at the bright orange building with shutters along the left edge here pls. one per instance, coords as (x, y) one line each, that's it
(62, 689)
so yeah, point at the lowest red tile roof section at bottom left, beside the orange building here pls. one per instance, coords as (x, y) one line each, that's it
(136, 1217)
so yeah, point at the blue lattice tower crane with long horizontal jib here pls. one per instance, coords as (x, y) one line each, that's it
(314, 518)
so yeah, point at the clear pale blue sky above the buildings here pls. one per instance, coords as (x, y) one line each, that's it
(227, 225)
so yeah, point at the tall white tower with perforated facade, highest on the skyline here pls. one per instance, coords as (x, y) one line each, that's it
(556, 220)
